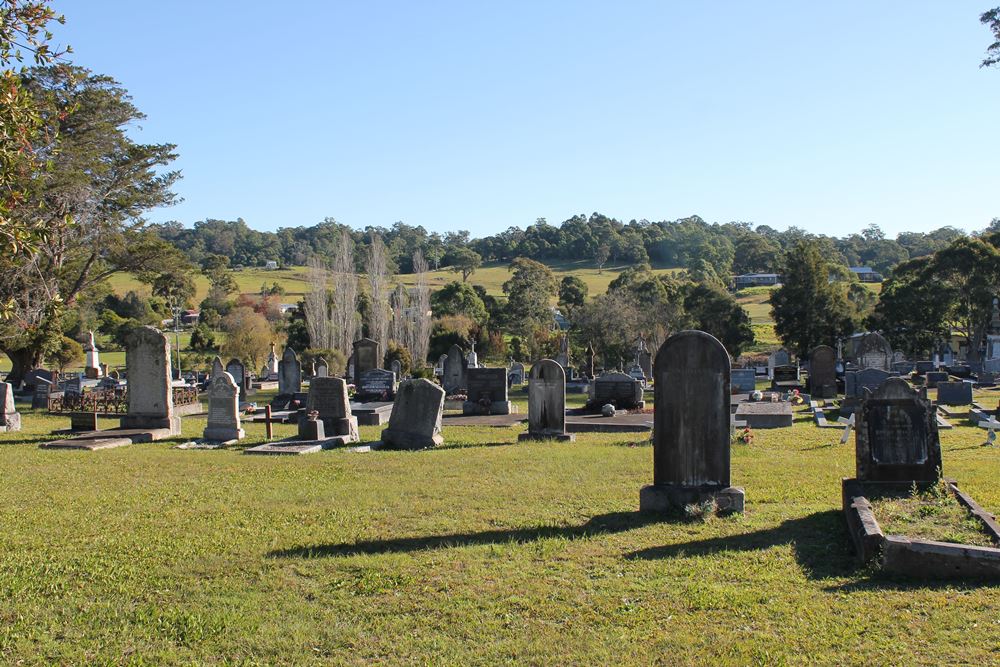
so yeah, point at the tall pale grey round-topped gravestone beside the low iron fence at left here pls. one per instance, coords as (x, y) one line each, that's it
(150, 396)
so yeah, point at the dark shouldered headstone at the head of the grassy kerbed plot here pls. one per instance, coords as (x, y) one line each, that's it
(896, 436)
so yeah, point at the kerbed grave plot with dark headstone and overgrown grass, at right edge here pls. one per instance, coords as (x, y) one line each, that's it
(898, 457)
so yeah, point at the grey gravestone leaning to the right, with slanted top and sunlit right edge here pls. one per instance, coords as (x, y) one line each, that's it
(415, 422)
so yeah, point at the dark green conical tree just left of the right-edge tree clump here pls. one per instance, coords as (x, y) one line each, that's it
(809, 309)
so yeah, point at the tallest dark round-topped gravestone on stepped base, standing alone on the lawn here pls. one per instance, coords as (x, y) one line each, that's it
(691, 426)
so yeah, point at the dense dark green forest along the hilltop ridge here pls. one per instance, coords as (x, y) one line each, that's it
(692, 243)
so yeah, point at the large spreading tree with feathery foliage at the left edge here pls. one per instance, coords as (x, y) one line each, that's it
(91, 201)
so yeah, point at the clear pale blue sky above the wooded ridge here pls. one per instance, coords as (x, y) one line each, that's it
(475, 115)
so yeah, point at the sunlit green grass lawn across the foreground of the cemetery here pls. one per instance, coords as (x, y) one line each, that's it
(481, 551)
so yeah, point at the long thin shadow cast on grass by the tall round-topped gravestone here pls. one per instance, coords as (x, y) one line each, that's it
(616, 522)
